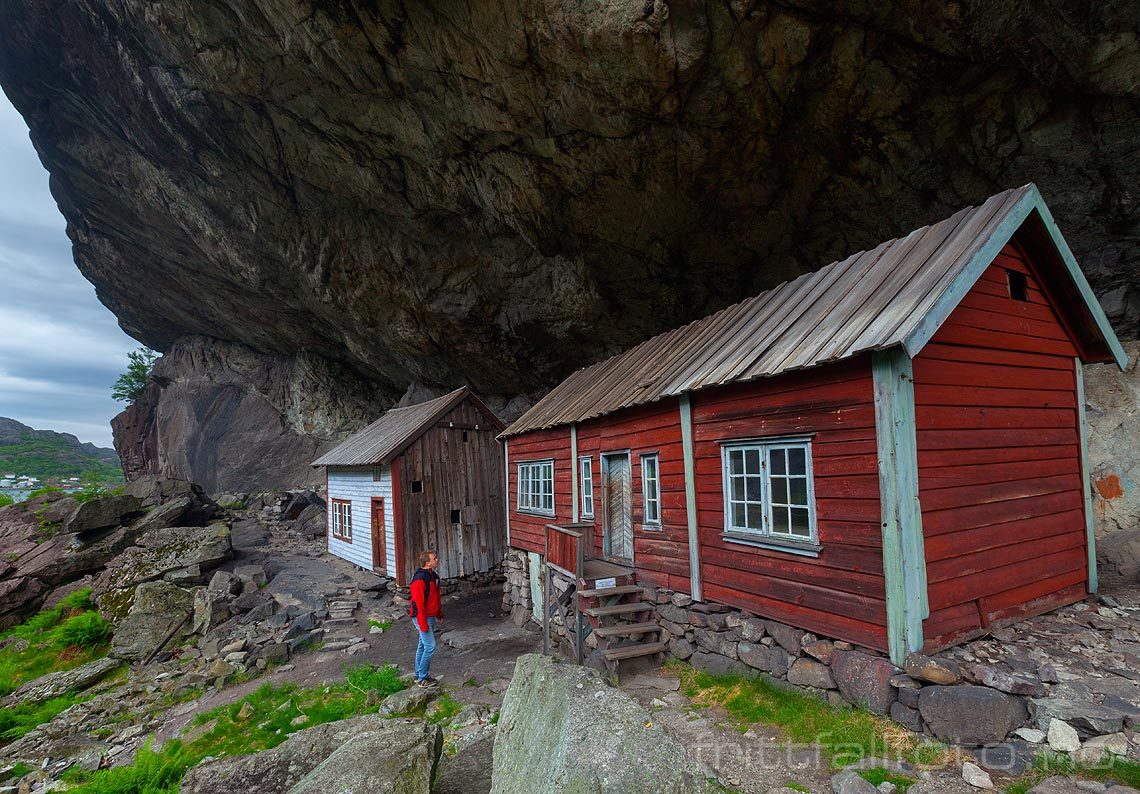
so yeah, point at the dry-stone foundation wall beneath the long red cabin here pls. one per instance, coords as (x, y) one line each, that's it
(955, 698)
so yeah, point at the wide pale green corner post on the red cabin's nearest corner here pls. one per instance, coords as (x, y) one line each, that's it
(903, 553)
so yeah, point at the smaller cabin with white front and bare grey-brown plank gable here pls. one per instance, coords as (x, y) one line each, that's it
(428, 476)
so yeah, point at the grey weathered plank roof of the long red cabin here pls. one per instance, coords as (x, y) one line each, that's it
(897, 295)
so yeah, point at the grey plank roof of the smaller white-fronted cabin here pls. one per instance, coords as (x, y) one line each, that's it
(390, 435)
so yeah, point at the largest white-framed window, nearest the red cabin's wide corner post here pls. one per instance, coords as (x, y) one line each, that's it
(769, 490)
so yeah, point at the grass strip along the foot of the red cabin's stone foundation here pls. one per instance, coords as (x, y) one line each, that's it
(844, 735)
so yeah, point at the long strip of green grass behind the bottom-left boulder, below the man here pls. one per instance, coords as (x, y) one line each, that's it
(267, 723)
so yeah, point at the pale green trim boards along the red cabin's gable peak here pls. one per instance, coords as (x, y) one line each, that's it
(949, 301)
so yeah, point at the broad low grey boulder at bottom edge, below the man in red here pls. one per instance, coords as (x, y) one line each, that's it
(363, 756)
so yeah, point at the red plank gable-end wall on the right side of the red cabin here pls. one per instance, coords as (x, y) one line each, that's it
(999, 460)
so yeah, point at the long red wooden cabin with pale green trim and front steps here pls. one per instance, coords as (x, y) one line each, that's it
(889, 451)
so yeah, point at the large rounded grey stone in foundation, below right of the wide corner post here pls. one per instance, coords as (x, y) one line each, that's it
(971, 716)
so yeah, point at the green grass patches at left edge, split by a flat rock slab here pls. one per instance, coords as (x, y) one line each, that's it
(56, 639)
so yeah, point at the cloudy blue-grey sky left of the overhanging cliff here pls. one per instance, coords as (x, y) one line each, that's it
(61, 350)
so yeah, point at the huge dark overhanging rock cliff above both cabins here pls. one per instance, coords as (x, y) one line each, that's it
(499, 193)
